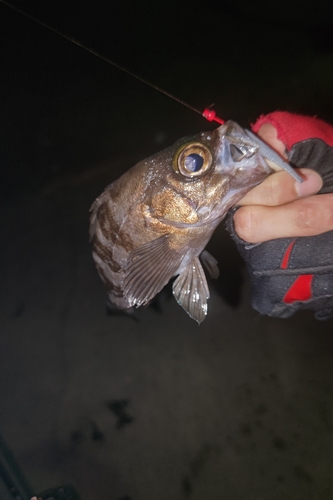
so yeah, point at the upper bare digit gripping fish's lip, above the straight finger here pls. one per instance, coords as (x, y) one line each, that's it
(280, 188)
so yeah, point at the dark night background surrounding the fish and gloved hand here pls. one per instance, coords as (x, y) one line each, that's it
(238, 409)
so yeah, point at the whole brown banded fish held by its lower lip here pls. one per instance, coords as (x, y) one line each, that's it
(154, 222)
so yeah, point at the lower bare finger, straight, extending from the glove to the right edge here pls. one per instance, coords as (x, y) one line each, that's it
(303, 217)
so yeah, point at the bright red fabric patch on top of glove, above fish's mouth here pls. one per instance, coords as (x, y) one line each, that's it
(293, 128)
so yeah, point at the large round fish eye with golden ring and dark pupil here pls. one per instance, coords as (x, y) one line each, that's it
(192, 160)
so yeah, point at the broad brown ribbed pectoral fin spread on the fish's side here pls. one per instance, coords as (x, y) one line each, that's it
(148, 269)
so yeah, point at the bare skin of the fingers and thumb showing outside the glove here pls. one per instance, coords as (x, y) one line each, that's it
(282, 207)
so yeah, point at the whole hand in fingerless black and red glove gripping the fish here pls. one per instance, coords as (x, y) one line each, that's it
(283, 230)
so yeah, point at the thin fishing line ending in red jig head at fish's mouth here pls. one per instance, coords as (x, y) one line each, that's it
(208, 113)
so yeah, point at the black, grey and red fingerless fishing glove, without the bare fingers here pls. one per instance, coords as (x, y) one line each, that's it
(289, 274)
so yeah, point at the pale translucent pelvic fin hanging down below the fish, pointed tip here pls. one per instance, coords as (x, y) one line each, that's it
(191, 291)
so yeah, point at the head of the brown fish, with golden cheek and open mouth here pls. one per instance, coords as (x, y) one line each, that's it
(199, 178)
